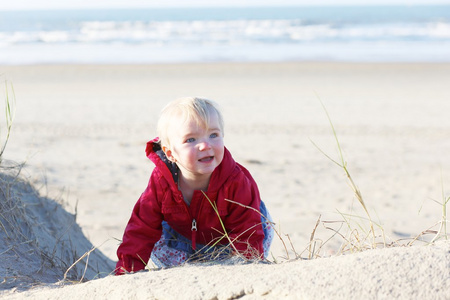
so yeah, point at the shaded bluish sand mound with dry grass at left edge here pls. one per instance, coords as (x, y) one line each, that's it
(40, 240)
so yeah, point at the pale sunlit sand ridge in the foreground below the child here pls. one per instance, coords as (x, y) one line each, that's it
(396, 273)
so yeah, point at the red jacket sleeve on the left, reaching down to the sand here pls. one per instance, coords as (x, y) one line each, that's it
(143, 230)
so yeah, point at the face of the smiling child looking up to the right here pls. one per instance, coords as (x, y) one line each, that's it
(196, 150)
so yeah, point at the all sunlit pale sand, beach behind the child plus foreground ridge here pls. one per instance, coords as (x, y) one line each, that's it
(82, 130)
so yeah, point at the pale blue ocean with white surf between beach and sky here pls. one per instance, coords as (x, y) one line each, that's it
(250, 34)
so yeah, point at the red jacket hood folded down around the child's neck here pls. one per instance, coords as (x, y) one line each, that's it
(170, 171)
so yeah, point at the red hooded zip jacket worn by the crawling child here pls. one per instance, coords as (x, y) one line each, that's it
(163, 201)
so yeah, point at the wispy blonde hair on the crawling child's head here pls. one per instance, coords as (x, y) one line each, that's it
(184, 109)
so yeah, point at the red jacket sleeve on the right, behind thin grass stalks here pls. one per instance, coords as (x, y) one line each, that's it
(244, 220)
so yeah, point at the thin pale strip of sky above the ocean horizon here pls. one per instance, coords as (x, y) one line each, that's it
(92, 4)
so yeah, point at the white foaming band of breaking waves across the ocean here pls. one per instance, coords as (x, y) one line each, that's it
(228, 32)
